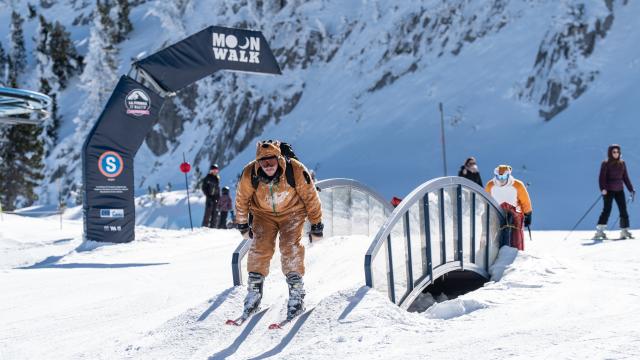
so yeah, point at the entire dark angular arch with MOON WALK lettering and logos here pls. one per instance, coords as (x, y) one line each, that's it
(133, 108)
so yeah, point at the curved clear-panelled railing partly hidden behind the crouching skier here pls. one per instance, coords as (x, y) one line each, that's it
(348, 208)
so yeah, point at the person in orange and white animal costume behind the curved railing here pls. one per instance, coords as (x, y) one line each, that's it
(513, 197)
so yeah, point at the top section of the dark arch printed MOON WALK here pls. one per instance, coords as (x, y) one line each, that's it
(212, 49)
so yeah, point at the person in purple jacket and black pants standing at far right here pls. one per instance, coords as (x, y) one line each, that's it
(613, 177)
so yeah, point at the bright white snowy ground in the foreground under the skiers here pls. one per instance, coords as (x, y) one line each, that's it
(168, 294)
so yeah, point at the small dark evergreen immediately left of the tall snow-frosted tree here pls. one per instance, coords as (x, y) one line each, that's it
(66, 60)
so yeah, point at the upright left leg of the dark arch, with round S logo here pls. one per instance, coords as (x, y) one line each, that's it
(107, 161)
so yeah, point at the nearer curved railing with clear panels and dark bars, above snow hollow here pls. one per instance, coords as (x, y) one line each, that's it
(445, 224)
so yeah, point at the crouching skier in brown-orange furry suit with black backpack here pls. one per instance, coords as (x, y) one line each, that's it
(280, 195)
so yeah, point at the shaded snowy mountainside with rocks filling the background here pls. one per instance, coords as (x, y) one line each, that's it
(361, 85)
